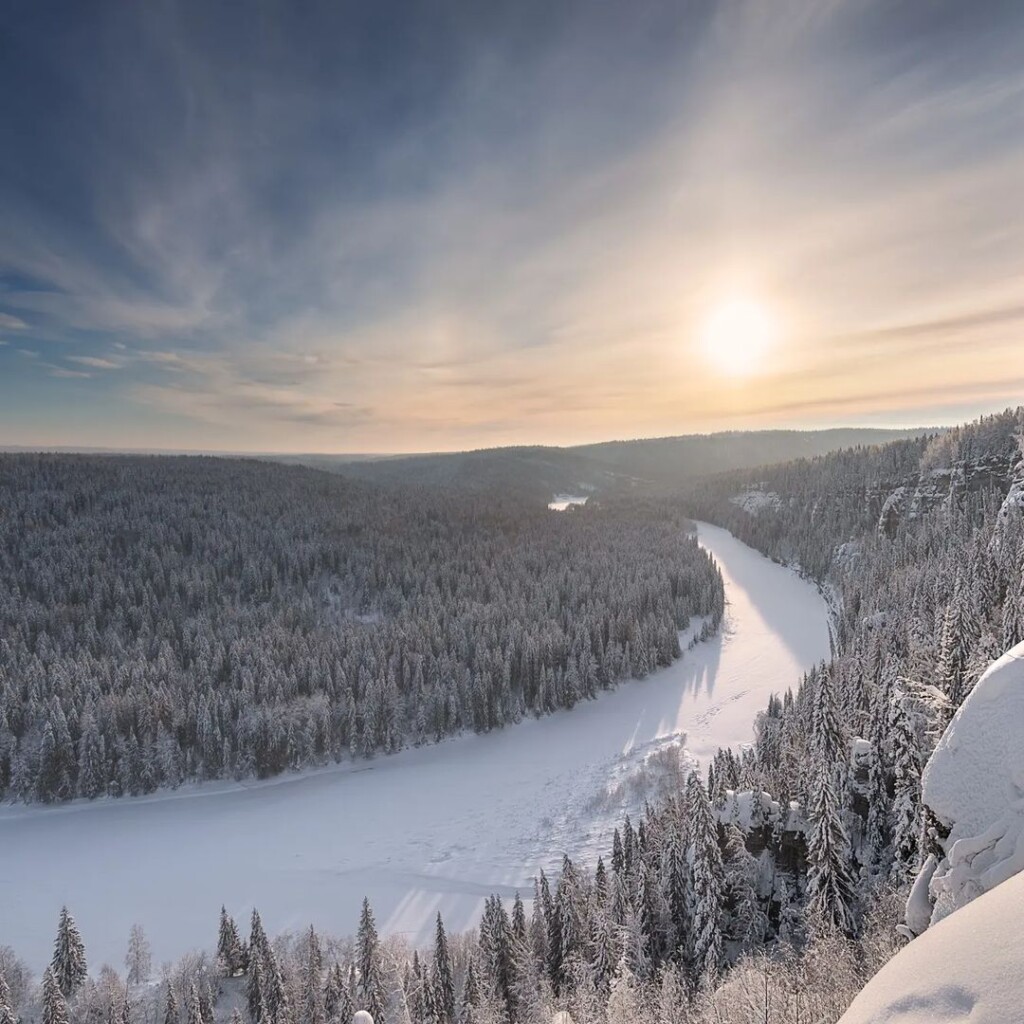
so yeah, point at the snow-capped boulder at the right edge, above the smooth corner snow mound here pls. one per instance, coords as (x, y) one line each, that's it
(974, 786)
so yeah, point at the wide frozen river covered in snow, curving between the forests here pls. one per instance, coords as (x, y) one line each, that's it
(438, 828)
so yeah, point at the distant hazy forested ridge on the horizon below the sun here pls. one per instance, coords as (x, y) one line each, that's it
(660, 464)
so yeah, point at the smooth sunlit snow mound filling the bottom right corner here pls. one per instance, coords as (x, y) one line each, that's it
(969, 967)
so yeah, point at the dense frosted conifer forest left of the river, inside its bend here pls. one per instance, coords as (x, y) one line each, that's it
(166, 619)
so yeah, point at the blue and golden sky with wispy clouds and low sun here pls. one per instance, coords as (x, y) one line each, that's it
(343, 227)
